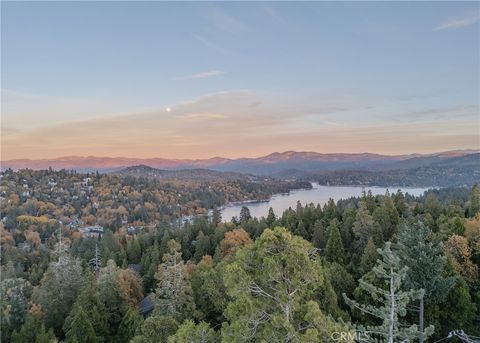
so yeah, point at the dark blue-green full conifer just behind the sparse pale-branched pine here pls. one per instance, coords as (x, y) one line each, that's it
(426, 263)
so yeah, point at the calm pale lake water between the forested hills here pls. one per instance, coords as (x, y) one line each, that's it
(317, 195)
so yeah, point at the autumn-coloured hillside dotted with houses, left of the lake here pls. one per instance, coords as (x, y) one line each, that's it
(50, 199)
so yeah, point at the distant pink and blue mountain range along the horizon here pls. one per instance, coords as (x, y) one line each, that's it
(289, 163)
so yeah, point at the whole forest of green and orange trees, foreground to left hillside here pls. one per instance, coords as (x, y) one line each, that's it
(390, 268)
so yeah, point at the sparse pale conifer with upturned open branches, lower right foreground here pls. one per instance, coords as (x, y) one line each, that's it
(393, 300)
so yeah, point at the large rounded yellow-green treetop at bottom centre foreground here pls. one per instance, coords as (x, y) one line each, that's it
(273, 283)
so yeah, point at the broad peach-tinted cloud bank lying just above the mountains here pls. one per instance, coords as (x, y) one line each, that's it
(240, 122)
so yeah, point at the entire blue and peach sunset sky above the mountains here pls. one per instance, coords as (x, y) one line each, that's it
(238, 79)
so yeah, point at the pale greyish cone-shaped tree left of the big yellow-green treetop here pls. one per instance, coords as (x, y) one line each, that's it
(174, 293)
